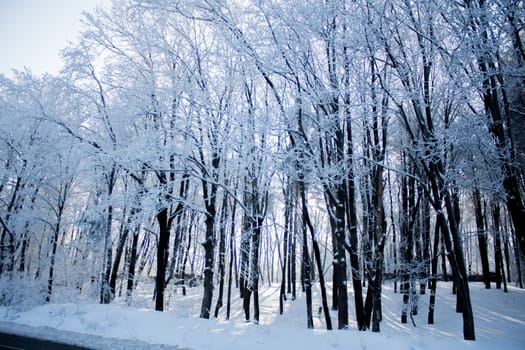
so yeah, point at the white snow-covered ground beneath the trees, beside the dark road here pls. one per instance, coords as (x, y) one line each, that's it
(499, 318)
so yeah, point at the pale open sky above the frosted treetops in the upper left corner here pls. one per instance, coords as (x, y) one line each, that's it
(32, 32)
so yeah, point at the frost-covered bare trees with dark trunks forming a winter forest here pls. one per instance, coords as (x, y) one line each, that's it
(221, 146)
